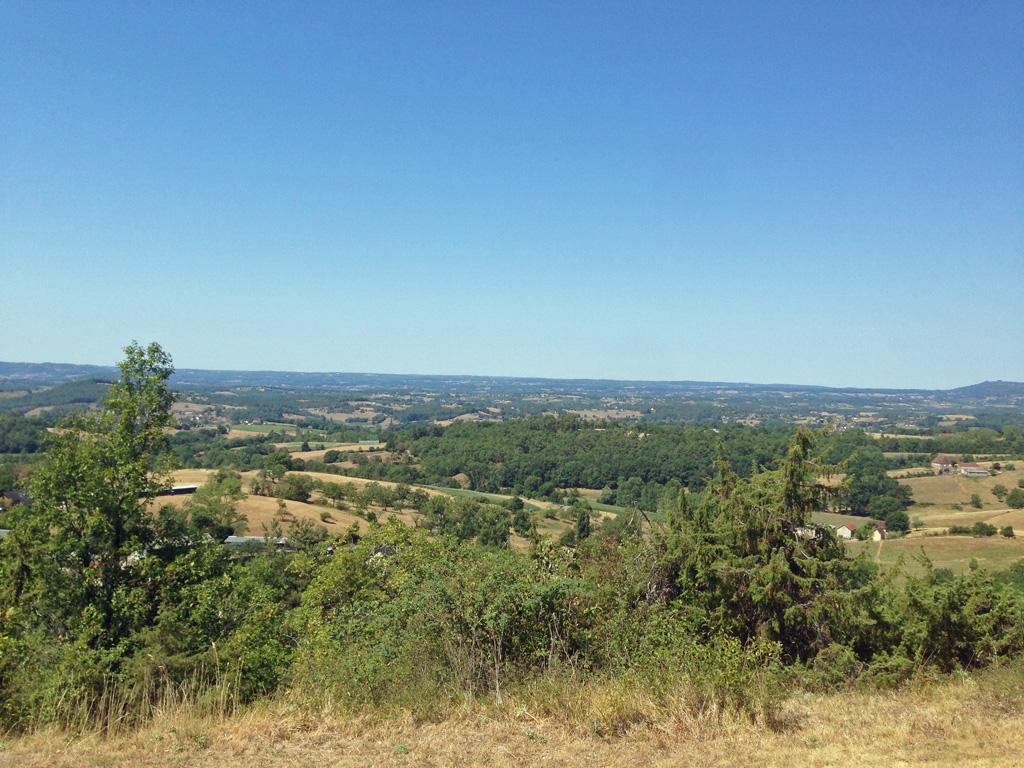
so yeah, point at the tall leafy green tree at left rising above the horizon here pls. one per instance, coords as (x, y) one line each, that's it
(89, 515)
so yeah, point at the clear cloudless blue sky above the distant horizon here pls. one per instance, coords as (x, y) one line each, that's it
(804, 193)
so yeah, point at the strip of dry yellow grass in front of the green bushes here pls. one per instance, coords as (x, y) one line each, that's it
(964, 722)
